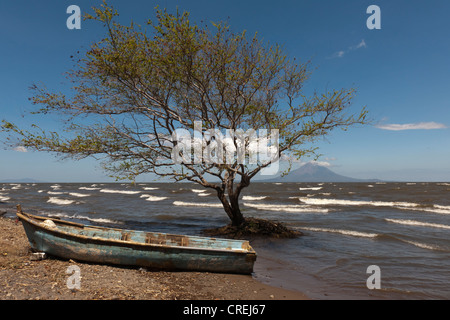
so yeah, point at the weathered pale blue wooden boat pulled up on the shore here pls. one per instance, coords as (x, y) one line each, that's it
(70, 240)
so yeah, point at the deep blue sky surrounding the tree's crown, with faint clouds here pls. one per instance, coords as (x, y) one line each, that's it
(401, 72)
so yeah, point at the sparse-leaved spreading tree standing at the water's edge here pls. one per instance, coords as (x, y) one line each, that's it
(137, 88)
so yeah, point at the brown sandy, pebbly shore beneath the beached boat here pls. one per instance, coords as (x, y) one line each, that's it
(23, 279)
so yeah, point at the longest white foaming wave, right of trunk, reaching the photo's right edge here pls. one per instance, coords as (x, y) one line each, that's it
(395, 204)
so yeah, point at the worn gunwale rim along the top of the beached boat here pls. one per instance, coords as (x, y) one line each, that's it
(33, 220)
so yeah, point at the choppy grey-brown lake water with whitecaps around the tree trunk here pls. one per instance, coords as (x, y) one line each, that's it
(403, 228)
